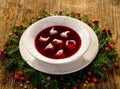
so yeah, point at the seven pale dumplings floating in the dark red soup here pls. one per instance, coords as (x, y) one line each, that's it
(69, 44)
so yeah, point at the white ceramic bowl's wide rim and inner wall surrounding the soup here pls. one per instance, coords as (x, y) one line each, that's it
(77, 25)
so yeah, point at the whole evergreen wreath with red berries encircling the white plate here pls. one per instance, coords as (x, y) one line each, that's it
(94, 72)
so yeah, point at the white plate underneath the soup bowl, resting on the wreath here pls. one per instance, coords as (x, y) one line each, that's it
(60, 69)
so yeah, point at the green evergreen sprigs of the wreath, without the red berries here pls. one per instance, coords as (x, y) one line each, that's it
(102, 60)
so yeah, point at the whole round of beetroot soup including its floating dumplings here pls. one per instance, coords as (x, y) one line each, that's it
(57, 42)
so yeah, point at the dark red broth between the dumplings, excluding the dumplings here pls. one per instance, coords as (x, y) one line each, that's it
(51, 53)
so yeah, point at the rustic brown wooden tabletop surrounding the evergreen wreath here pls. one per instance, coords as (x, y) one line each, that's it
(106, 11)
